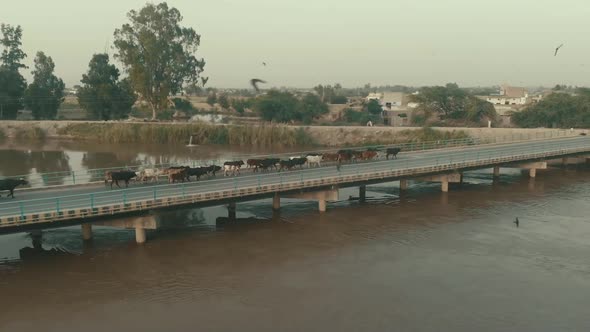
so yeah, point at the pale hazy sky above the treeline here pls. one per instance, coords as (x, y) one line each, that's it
(307, 42)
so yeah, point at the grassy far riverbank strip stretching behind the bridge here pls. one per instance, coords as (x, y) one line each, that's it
(252, 135)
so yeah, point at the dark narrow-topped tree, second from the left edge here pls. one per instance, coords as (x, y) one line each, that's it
(46, 93)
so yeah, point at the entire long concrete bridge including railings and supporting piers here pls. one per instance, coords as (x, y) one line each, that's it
(93, 204)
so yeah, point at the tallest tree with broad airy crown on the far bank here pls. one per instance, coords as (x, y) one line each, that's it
(158, 53)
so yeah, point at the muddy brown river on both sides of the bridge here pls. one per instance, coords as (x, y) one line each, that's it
(420, 261)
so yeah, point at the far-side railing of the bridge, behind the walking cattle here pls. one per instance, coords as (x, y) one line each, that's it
(74, 177)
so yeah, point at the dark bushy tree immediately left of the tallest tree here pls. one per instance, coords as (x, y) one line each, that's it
(102, 94)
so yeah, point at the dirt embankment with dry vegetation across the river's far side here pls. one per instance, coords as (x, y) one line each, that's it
(320, 135)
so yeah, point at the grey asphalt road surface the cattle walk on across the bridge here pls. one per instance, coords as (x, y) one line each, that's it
(43, 200)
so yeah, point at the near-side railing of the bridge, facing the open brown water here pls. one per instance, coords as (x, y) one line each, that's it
(94, 202)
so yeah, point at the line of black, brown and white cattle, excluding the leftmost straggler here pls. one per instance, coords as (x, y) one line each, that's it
(232, 168)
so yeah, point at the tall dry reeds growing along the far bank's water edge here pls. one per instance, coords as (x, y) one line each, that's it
(202, 133)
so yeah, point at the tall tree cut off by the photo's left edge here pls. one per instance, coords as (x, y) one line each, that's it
(12, 83)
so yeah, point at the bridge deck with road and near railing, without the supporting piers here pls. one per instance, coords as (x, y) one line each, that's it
(86, 202)
